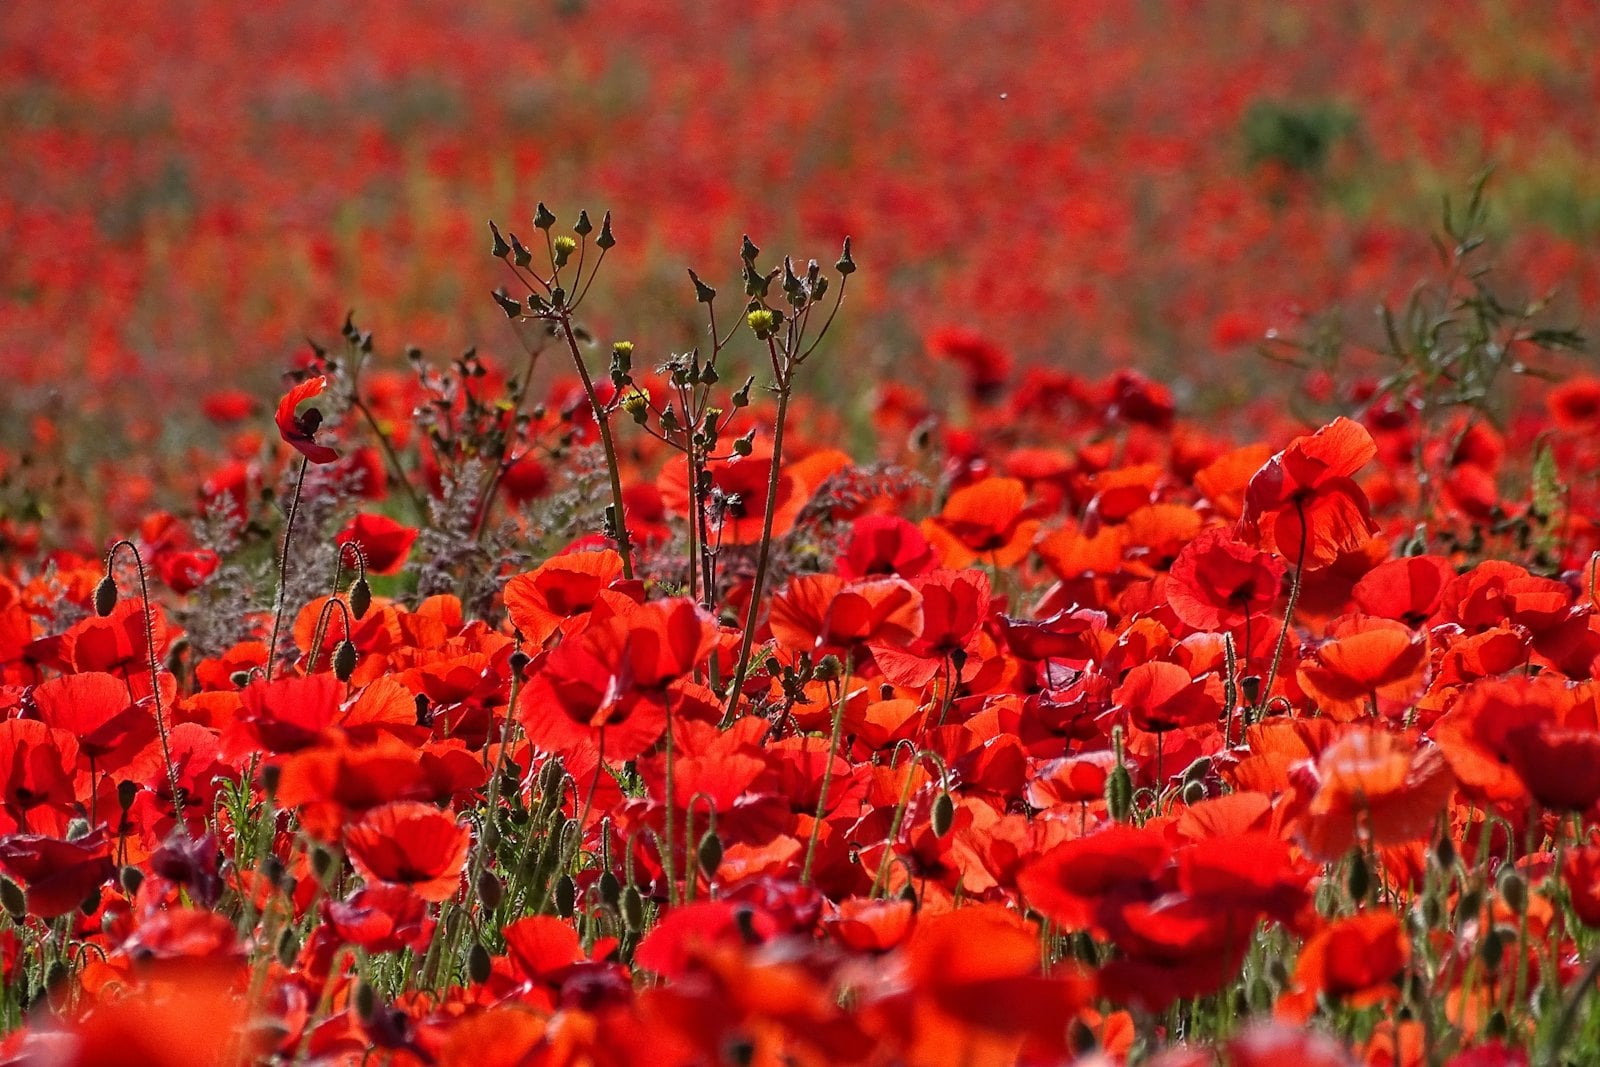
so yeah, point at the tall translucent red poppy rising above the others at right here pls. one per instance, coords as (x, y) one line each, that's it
(1305, 505)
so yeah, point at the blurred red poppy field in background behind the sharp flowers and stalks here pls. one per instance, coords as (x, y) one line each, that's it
(191, 191)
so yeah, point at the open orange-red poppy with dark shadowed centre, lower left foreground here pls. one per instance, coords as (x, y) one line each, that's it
(410, 844)
